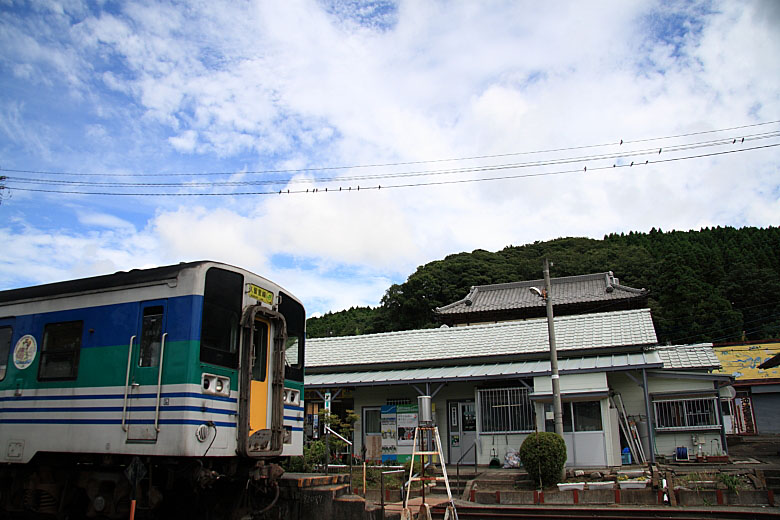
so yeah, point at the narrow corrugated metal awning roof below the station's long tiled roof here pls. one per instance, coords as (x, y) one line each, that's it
(635, 360)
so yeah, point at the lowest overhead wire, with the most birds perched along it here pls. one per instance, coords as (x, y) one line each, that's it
(408, 185)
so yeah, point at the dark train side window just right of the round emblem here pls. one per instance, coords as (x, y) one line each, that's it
(60, 350)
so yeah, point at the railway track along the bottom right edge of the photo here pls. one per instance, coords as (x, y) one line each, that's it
(466, 512)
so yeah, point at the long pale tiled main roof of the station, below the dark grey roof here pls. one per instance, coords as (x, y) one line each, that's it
(528, 337)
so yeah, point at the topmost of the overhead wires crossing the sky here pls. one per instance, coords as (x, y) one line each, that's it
(405, 163)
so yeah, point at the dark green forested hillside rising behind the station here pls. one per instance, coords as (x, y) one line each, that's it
(711, 285)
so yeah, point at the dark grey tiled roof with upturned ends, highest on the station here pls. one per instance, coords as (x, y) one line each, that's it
(566, 290)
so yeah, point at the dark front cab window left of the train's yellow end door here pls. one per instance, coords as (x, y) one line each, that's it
(222, 299)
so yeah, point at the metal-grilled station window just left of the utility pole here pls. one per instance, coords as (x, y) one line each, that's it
(505, 410)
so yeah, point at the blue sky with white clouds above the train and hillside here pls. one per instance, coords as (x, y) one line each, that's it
(208, 92)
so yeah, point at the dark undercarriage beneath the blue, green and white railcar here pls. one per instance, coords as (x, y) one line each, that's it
(63, 486)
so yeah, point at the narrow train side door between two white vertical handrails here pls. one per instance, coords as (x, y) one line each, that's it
(145, 372)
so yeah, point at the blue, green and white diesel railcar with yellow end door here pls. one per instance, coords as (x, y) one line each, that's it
(179, 386)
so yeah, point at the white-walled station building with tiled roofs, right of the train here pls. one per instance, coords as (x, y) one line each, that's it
(490, 380)
